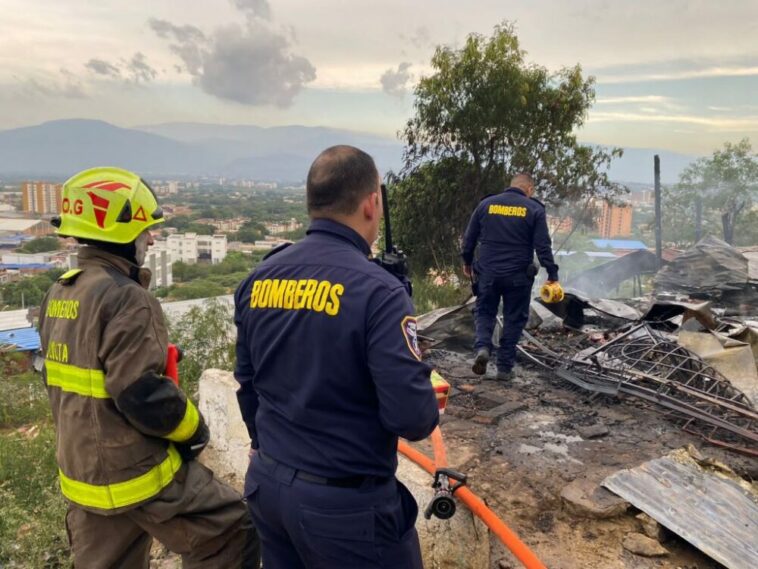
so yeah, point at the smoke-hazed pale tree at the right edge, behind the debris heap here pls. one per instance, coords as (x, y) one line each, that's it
(726, 187)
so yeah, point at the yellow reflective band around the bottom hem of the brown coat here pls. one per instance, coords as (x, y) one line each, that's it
(121, 494)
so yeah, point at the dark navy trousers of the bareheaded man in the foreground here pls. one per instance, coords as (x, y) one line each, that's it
(307, 525)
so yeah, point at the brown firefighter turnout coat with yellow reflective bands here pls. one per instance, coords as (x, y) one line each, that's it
(120, 423)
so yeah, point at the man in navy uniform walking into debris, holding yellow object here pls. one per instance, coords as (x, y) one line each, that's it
(509, 227)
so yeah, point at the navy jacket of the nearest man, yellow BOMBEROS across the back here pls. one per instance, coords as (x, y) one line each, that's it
(328, 359)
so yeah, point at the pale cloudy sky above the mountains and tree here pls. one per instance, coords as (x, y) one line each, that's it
(680, 75)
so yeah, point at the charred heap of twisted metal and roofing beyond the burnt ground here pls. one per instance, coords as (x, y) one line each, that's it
(689, 350)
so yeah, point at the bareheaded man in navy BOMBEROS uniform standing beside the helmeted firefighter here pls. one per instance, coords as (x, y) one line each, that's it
(330, 376)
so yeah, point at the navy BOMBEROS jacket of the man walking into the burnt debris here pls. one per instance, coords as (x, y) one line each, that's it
(510, 227)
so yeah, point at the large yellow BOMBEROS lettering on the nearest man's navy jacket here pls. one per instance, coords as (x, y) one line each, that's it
(297, 294)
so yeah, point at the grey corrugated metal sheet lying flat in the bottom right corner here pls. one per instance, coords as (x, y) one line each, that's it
(714, 510)
